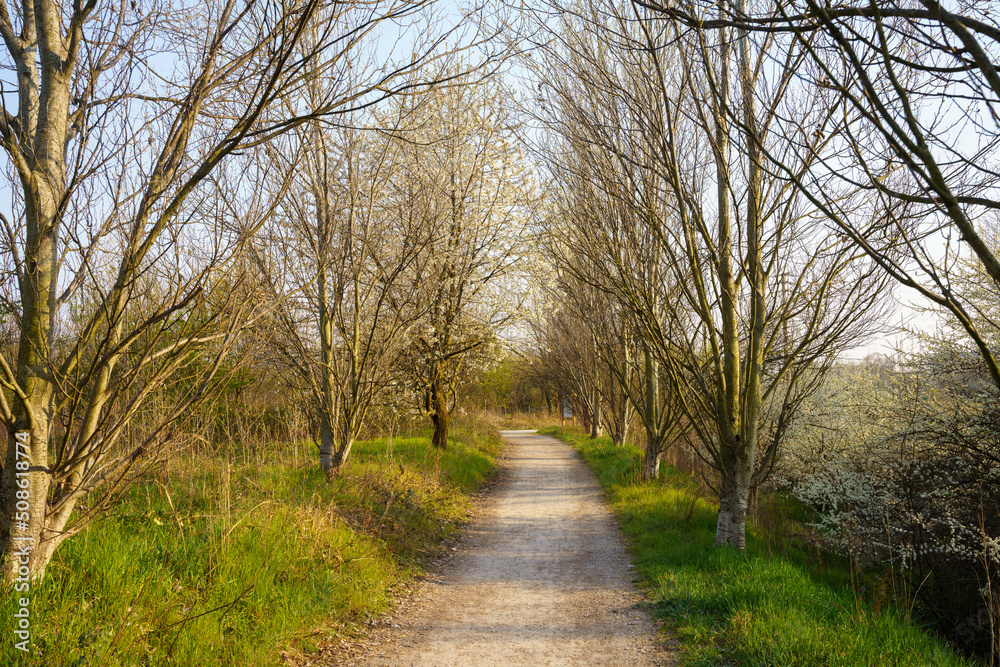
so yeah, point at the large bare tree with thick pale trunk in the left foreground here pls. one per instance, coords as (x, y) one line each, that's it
(128, 120)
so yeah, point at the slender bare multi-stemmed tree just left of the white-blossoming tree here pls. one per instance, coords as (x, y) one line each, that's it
(344, 263)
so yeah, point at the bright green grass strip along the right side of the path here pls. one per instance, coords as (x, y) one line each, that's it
(748, 608)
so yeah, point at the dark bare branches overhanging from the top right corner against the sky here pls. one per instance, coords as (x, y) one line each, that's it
(914, 133)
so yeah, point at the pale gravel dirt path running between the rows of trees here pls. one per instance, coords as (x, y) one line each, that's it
(541, 577)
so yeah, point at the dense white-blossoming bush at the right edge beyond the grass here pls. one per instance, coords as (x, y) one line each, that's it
(903, 469)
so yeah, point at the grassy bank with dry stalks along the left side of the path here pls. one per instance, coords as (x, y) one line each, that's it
(223, 563)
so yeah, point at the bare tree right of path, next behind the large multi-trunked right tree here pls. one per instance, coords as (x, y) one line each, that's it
(596, 240)
